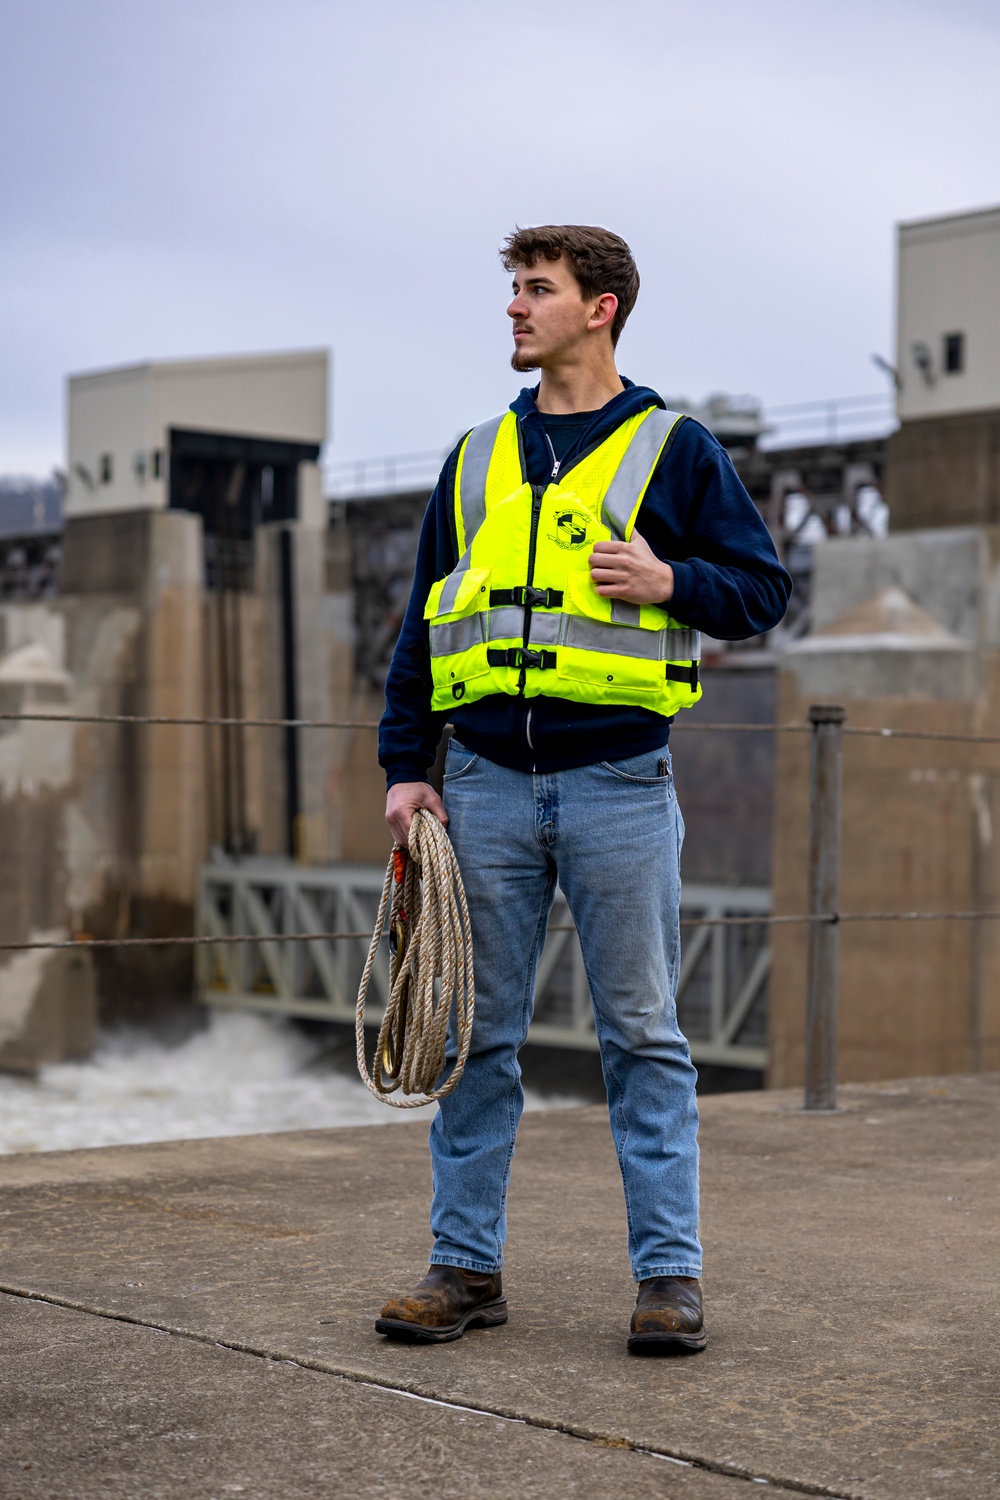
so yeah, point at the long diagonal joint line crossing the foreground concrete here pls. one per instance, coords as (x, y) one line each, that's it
(422, 1394)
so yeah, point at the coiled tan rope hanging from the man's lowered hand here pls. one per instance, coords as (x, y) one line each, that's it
(431, 970)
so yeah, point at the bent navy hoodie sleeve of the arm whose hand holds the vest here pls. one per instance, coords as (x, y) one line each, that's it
(698, 517)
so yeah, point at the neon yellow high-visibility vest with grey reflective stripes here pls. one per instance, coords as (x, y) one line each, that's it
(519, 614)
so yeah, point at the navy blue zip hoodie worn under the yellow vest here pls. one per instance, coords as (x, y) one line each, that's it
(696, 517)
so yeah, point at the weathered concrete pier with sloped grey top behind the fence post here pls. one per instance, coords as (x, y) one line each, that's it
(905, 638)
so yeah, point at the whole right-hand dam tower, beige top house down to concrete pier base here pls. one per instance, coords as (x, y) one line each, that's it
(906, 634)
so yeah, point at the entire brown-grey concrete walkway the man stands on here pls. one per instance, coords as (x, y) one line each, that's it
(196, 1321)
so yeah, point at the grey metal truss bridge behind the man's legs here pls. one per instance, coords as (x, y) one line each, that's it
(722, 995)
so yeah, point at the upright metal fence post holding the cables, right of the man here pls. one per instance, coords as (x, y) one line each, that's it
(821, 1003)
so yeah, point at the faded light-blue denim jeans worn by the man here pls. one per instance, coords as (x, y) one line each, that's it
(611, 835)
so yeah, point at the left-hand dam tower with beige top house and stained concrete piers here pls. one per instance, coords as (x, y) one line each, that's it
(197, 581)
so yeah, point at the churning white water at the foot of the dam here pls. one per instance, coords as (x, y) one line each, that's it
(241, 1076)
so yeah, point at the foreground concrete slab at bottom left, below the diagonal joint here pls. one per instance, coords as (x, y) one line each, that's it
(101, 1408)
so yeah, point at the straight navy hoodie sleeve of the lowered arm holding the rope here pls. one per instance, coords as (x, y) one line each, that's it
(410, 731)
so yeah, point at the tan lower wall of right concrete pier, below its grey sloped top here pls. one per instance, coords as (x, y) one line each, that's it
(917, 836)
